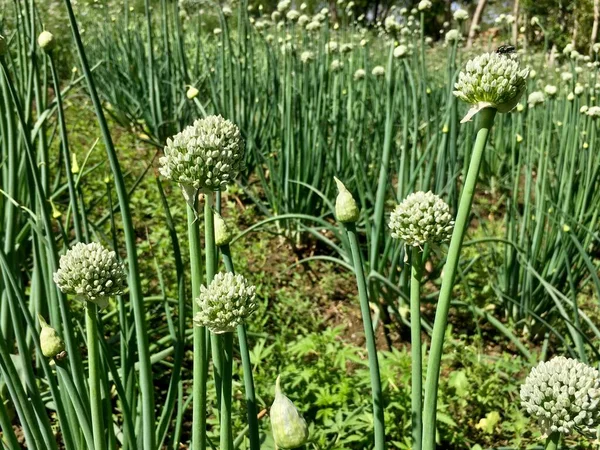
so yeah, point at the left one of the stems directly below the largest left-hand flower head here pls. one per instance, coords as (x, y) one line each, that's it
(200, 368)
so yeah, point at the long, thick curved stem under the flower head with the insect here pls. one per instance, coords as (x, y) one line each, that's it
(441, 316)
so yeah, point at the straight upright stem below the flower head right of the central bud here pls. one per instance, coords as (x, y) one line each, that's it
(415, 342)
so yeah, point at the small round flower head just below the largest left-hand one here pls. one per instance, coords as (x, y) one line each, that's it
(227, 301)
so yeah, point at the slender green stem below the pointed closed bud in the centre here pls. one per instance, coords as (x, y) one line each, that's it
(377, 395)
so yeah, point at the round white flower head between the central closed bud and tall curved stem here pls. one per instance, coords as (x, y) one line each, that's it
(421, 218)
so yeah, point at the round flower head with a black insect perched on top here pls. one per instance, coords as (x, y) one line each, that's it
(491, 80)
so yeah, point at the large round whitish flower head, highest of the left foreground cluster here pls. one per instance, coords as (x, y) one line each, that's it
(207, 155)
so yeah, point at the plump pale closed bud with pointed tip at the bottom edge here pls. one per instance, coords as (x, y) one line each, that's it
(289, 427)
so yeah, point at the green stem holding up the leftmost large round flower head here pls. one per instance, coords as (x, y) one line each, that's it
(91, 324)
